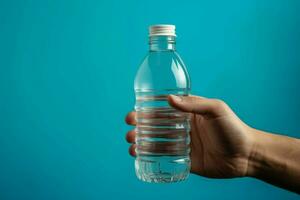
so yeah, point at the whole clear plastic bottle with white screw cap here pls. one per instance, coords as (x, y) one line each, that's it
(162, 140)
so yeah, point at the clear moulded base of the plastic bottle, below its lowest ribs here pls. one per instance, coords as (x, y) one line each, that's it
(162, 169)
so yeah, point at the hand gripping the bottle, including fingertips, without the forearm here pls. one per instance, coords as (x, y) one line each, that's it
(221, 143)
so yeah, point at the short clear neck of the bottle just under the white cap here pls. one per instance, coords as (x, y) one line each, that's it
(162, 43)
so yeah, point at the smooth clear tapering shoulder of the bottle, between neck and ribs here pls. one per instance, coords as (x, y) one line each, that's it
(162, 70)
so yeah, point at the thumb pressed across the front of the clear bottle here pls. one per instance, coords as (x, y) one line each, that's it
(198, 105)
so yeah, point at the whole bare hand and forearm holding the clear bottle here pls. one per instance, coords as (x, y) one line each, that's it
(223, 146)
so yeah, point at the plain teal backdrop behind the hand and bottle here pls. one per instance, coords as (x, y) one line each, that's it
(66, 83)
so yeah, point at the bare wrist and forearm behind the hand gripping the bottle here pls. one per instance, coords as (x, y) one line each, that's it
(275, 159)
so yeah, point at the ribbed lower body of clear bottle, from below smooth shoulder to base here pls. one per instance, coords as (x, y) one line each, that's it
(162, 138)
